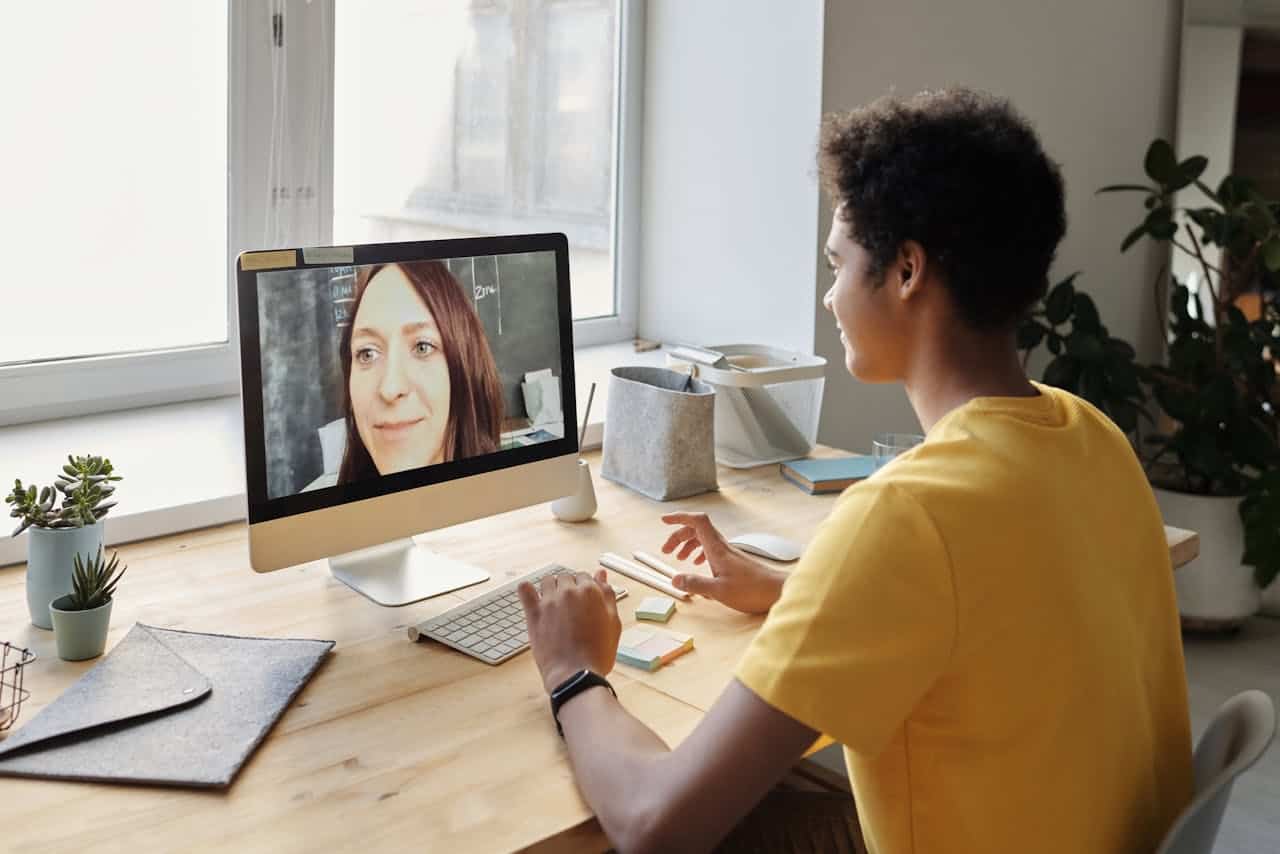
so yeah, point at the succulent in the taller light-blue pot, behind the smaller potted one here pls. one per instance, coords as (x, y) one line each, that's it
(63, 522)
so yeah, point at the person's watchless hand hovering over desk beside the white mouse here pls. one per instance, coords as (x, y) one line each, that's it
(738, 581)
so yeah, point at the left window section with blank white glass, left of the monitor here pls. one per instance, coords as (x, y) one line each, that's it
(116, 200)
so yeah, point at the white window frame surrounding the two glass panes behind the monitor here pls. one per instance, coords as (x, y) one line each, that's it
(85, 386)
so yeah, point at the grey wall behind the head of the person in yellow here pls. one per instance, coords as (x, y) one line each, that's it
(1096, 77)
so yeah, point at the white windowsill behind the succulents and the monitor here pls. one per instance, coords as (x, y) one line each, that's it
(184, 464)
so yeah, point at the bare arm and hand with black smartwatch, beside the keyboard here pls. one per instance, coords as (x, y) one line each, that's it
(650, 798)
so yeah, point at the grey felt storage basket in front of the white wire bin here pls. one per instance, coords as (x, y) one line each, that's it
(660, 433)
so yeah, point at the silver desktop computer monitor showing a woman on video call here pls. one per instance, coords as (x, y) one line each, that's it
(397, 389)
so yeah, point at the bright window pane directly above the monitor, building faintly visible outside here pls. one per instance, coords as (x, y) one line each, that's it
(479, 117)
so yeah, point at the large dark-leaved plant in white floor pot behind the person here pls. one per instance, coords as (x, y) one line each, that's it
(1214, 458)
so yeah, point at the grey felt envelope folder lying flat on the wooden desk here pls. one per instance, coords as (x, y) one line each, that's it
(166, 707)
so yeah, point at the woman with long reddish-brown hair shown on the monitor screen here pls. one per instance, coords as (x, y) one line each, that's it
(422, 386)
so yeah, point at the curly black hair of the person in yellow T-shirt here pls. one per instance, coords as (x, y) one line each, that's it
(962, 173)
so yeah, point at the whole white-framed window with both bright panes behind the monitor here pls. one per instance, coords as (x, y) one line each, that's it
(281, 124)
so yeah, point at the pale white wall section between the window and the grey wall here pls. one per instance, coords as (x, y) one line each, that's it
(729, 182)
